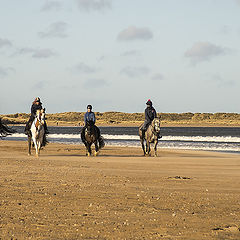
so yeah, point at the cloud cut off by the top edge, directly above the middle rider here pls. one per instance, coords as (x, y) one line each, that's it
(96, 5)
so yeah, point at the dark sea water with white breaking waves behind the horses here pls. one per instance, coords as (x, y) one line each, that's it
(225, 139)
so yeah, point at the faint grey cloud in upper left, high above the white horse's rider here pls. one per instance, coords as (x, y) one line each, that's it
(55, 30)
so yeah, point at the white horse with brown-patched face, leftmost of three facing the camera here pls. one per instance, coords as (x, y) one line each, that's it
(37, 132)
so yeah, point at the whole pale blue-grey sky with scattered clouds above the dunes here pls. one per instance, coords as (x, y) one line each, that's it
(184, 55)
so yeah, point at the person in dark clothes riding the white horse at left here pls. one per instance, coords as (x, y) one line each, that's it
(36, 105)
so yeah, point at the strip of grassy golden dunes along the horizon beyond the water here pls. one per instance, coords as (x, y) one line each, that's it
(132, 119)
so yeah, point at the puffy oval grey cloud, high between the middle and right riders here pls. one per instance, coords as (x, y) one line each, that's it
(134, 33)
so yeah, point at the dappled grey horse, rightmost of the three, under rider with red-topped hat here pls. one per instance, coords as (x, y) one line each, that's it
(151, 136)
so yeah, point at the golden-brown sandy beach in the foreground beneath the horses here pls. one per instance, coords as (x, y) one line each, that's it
(118, 195)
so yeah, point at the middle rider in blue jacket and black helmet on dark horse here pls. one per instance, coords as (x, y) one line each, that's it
(90, 117)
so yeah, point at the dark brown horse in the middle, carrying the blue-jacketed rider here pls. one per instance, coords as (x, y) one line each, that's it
(92, 135)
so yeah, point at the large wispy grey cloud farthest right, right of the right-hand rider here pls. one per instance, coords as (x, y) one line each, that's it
(204, 51)
